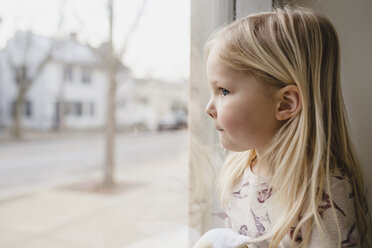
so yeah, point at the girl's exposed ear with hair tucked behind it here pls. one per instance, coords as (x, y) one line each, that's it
(289, 102)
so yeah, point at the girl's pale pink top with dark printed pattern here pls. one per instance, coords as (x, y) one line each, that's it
(249, 214)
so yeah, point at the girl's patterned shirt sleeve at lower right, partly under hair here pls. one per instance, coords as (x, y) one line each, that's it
(342, 197)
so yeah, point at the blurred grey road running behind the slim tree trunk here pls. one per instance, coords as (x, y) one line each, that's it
(43, 161)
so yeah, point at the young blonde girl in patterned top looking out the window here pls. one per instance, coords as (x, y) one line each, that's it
(294, 179)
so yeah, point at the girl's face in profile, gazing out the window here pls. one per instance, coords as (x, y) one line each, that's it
(242, 108)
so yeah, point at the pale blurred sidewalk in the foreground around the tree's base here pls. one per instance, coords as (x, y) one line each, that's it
(150, 211)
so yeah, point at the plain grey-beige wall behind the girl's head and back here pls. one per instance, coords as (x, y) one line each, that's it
(352, 20)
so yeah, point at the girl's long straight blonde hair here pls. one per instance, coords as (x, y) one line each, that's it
(300, 47)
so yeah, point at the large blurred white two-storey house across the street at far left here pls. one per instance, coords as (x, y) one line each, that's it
(73, 76)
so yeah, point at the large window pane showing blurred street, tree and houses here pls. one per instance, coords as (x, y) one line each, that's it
(100, 155)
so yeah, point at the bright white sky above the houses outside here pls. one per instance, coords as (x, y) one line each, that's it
(158, 48)
